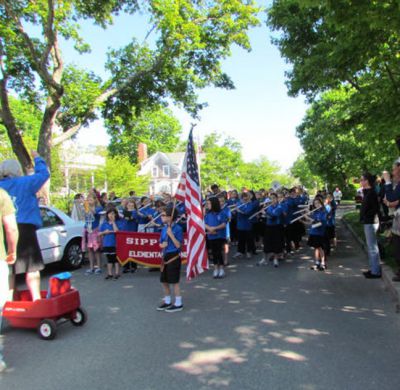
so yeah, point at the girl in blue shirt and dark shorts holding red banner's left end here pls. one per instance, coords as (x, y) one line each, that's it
(108, 229)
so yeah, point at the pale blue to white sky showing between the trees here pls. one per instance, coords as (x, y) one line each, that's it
(258, 112)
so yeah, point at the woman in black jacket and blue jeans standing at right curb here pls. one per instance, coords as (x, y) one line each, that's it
(369, 218)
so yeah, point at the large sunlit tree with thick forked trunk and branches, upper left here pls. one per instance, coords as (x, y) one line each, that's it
(191, 38)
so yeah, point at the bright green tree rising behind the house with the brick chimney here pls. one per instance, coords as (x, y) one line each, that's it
(157, 128)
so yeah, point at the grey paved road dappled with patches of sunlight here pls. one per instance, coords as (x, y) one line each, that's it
(260, 328)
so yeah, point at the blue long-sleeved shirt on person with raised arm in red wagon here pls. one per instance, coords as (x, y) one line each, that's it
(22, 191)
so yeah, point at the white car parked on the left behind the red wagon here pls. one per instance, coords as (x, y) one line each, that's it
(60, 238)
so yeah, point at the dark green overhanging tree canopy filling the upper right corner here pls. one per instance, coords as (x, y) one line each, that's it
(344, 44)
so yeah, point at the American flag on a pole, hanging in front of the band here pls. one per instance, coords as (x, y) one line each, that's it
(189, 193)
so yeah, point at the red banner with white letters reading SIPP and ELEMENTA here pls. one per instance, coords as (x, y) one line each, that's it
(142, 248)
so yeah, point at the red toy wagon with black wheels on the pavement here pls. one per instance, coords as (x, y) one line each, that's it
(44, 313)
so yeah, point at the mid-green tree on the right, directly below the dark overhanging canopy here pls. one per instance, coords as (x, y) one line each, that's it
(338, 143)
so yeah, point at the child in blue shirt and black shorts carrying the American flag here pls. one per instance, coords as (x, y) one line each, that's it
(171, 241)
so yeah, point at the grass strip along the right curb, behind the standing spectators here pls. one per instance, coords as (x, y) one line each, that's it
(389, 266)
